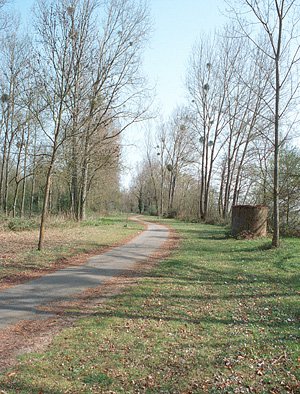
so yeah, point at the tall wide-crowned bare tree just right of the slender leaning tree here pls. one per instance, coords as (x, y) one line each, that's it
(108, 93)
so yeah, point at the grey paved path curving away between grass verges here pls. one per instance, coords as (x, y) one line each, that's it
(20, 302)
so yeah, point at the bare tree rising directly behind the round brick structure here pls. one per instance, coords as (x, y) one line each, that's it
(246, 120)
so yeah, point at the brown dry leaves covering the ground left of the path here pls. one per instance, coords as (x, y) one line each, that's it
(19, 265)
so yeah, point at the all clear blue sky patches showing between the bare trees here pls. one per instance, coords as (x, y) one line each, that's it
(177, 24)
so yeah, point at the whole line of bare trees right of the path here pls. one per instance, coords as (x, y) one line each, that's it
(231, 143)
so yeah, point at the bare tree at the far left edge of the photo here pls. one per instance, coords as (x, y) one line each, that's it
(13, 71)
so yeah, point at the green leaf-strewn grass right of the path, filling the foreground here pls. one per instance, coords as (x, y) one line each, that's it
(219, 316)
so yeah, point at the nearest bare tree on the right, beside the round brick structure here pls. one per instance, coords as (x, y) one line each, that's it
(272, 27)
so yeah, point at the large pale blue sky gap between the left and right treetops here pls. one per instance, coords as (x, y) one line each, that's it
(177, 25)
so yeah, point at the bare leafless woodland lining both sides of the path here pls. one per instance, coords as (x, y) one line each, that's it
(73, 83)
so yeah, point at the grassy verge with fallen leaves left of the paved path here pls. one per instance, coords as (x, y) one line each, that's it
(19, 258)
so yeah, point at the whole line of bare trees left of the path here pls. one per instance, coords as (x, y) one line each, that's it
(69, 88)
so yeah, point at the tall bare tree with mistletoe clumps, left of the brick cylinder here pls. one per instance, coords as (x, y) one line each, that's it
(208, 79)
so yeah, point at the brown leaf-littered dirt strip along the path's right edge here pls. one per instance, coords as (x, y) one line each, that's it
(36, 336)
